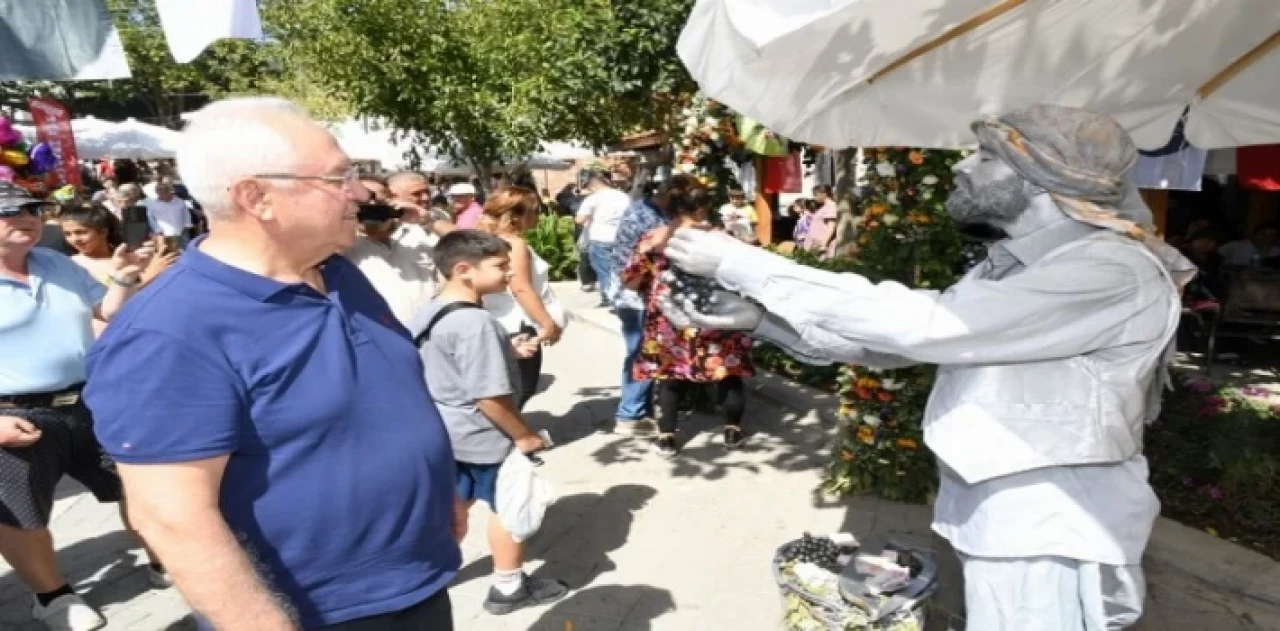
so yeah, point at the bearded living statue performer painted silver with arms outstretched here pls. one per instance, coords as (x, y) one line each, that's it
(1053, 356)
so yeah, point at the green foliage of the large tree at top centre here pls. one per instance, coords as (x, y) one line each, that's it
(491, 79)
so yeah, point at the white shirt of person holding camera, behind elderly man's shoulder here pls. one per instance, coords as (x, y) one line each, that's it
(404, 273)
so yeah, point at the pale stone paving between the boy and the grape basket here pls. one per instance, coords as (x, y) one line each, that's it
(646, 543)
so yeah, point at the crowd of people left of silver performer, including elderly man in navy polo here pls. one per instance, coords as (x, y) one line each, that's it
(296, 321)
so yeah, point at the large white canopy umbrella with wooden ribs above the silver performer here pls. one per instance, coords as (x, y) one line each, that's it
(917, 72)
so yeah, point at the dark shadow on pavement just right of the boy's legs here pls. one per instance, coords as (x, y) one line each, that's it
(578, 536)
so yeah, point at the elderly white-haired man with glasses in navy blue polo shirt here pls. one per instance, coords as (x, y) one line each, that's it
(303, 479)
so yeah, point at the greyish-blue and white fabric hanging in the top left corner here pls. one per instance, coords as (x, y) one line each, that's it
(60, 40)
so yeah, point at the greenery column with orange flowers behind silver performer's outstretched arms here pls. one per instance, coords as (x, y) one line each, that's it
(907, 236)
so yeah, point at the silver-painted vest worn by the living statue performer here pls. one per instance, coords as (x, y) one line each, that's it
(995, 420)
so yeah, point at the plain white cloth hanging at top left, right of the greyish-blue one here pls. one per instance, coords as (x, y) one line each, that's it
(191, 26)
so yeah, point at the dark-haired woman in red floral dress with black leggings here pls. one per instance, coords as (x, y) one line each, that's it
(680, 358)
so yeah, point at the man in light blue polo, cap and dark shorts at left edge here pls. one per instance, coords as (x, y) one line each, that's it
(47, 308)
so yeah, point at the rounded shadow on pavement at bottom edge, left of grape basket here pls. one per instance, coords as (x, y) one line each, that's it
(593, 609)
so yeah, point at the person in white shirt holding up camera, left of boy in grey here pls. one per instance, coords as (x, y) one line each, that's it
(392, 250)
